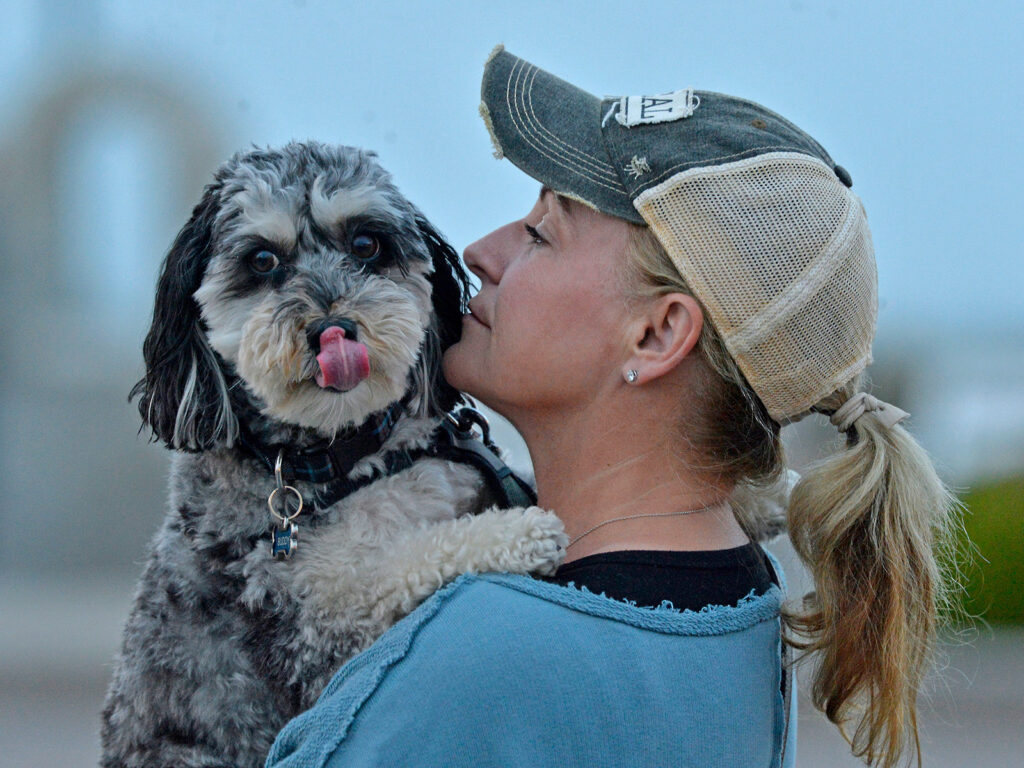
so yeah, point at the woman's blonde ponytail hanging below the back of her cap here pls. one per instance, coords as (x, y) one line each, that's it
(869, 523)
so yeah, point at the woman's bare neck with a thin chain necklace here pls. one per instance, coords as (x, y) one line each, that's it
(593, 466)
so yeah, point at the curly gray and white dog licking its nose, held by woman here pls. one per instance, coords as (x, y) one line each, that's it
(300, 323)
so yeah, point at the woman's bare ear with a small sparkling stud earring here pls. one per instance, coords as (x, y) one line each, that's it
(667, 333)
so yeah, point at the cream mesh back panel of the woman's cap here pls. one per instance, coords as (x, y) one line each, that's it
(779, 252)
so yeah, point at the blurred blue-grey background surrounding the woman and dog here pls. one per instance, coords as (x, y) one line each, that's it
(116, 112)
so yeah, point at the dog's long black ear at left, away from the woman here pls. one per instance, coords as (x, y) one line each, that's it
(184, 397)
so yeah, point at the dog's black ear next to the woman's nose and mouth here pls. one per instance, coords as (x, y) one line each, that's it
(450, 293)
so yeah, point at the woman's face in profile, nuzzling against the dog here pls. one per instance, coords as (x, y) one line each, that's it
(550, 325)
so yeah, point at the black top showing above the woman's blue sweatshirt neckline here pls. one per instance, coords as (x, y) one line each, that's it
(688, 580)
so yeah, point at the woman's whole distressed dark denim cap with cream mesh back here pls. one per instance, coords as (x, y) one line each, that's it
(753, 212)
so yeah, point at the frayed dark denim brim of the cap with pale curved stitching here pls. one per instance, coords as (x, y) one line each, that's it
(552, 132)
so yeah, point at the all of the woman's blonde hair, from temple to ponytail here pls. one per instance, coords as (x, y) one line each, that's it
(868, 523)
